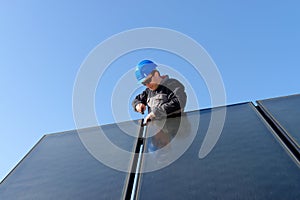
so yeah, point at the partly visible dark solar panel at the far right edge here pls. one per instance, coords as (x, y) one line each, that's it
(285, 113)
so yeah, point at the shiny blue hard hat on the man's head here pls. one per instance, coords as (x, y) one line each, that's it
(143, 69)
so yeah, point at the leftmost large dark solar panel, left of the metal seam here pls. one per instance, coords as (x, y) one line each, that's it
(60, 167)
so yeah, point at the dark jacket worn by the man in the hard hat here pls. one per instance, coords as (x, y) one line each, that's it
(167, 100)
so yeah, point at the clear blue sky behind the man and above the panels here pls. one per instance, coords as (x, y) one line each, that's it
(254, 44)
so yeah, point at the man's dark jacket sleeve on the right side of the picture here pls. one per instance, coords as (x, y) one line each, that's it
(176, 101)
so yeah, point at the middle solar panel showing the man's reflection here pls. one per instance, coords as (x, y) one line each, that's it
(247, 162)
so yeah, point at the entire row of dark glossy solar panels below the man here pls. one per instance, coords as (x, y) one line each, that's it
(253, 157)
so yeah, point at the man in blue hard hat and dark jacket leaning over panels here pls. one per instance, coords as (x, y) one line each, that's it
(164, 97)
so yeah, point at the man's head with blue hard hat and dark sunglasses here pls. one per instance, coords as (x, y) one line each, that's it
(147, 74)
